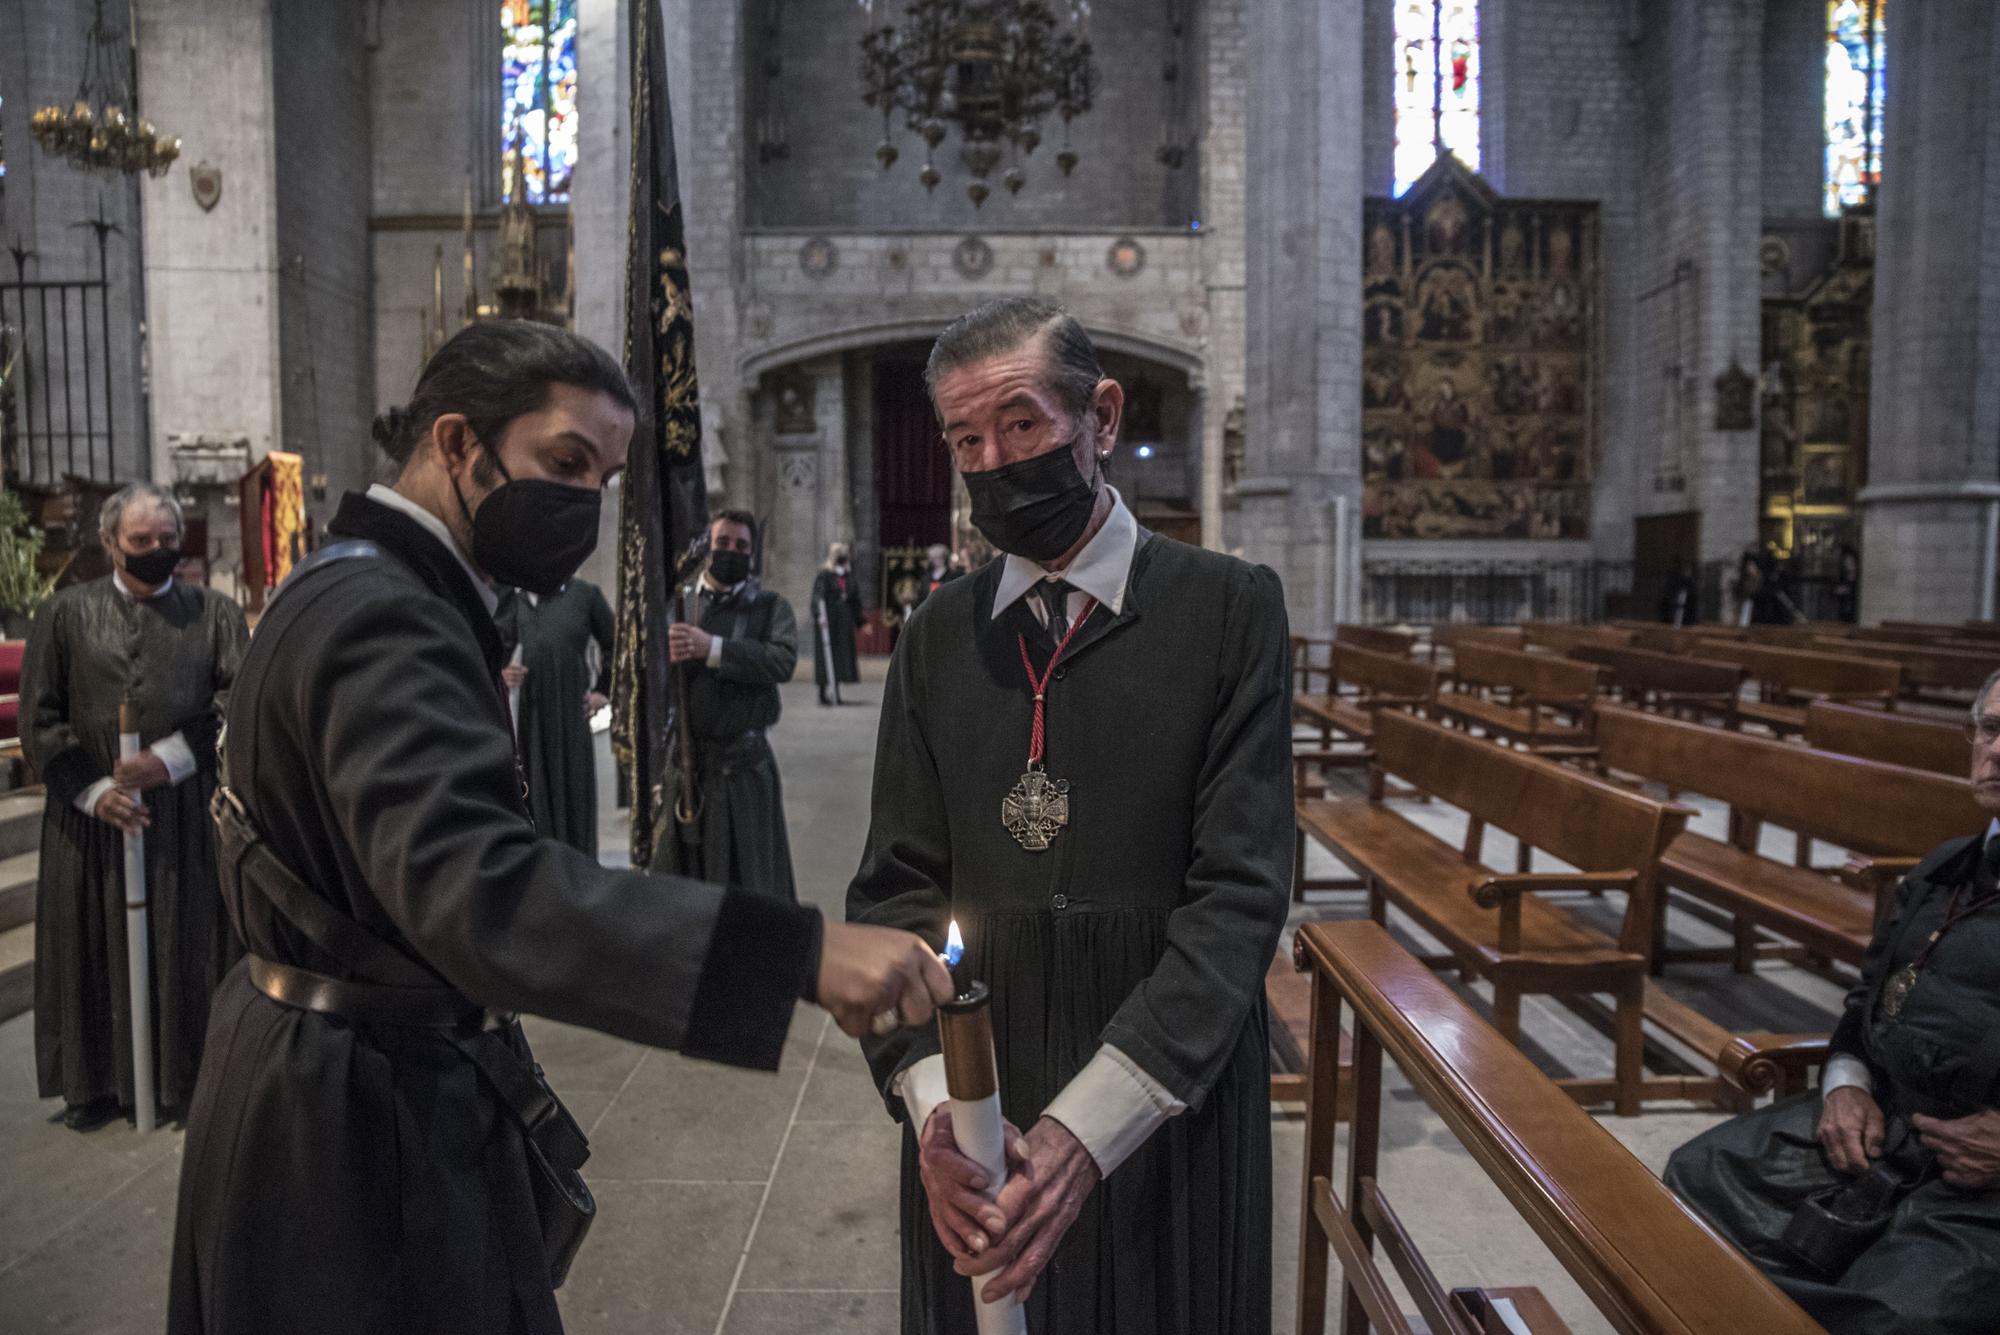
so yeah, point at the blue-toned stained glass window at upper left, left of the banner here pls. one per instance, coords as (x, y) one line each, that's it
(539, 99)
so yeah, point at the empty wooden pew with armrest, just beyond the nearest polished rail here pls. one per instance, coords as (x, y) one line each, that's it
(1499, 926)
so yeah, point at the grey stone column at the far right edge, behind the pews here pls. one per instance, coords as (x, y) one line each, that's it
(1933, 497)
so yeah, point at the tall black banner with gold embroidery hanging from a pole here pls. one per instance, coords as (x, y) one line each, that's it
(665, 503)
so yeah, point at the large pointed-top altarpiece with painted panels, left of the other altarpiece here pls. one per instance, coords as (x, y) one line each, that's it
(1479, 363)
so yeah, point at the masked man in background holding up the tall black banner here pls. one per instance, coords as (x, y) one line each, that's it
(739, 649)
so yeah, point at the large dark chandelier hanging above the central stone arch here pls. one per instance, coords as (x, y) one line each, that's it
(993, 69)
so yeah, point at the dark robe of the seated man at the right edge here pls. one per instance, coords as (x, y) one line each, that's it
(1937, 1268)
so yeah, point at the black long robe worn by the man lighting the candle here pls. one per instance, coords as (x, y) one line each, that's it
(361, 1180)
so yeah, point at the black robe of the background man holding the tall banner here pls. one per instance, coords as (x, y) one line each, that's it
(741, 832)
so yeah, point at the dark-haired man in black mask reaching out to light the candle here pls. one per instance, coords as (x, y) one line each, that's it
(349, 1168)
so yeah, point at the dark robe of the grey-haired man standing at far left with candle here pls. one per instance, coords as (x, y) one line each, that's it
(177, 655)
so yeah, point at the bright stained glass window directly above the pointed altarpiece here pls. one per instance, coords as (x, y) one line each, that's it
(1437, 85)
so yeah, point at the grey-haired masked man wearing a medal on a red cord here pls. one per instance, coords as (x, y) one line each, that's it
(1121, 888)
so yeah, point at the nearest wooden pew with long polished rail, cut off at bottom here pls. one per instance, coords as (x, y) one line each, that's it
(1643, 1258)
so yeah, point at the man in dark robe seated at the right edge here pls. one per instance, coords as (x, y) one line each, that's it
(1913, 1088)
